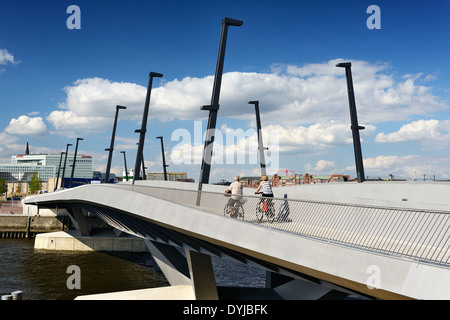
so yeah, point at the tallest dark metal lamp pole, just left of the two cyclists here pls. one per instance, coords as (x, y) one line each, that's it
(214, 106)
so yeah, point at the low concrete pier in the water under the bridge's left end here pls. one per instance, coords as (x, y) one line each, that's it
(104, 240)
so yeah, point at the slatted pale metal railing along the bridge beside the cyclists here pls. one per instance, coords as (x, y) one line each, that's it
(416, 234)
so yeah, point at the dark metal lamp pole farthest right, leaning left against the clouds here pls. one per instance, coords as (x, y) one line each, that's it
(354, 120)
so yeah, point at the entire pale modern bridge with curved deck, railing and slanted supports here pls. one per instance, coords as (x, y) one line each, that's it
(381, 240)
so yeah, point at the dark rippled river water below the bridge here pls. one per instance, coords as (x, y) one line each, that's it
(43, 274)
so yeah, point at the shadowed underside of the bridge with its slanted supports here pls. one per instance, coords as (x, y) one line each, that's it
(186, 261)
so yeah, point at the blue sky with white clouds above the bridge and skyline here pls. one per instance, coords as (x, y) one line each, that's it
(57, 84)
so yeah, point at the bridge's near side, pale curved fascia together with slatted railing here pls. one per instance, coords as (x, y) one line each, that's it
(335, 242)
